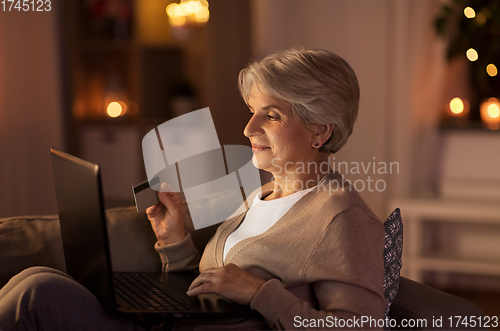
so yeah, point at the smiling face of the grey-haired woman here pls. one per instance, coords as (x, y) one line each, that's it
(280, 142)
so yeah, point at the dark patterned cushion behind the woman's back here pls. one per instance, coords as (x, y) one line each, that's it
(392, 256)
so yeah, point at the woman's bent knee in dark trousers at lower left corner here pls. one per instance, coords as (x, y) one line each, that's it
(47, 299)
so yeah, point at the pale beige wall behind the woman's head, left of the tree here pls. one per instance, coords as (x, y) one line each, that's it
(398, 60)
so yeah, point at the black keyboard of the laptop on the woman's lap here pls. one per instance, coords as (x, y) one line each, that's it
(145, 293)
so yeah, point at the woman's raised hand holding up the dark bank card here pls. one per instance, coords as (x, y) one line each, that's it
(166, 217)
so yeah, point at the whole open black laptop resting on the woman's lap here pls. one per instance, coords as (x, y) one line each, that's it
(88, 260)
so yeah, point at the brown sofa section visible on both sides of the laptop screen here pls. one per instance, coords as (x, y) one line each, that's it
(27, 241)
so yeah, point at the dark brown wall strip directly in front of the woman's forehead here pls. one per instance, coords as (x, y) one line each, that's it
(228, 51)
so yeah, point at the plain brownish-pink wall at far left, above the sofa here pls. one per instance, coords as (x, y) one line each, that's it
(30, 111)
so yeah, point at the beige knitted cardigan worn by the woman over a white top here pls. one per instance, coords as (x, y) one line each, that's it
(324, 257)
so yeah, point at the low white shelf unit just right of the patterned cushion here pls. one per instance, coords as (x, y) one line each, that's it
(447, 235)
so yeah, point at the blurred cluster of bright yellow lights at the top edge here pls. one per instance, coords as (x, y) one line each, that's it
(188, 12)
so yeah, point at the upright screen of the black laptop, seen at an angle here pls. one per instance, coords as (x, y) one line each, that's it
(83, 224)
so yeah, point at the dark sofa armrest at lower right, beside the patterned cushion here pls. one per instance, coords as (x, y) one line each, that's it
(417, 302)
